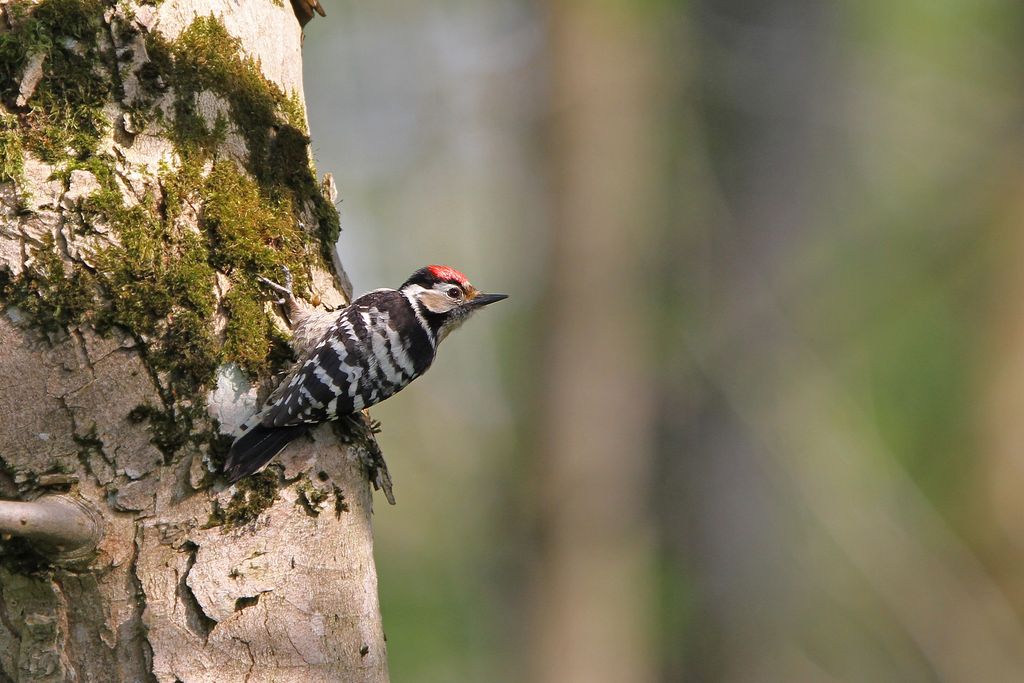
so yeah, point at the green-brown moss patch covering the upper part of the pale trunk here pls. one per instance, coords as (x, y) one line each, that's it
(158, 277)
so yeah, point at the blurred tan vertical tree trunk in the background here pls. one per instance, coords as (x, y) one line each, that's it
(593, 599)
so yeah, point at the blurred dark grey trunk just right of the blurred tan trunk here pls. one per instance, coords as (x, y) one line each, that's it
(762, 81)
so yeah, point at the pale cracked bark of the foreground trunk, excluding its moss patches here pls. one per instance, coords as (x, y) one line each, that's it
(192, 581)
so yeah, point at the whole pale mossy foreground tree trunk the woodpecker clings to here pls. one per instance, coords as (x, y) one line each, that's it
(154, 163)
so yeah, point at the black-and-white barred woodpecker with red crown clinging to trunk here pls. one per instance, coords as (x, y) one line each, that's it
(354, 359)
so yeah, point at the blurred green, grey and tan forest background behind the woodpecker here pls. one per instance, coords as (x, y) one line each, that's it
(755, 409)
